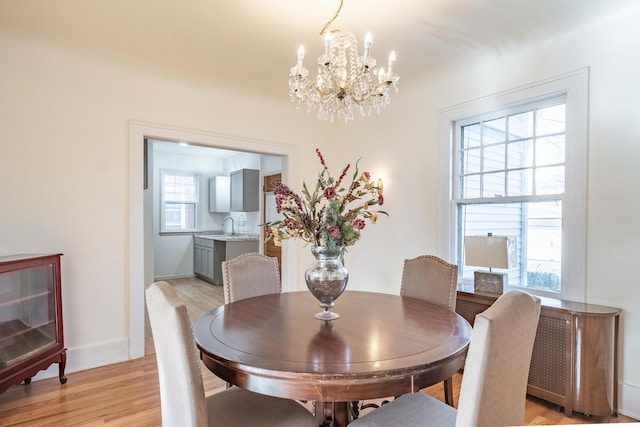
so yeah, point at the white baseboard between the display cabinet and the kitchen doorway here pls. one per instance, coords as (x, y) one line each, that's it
(80, 359)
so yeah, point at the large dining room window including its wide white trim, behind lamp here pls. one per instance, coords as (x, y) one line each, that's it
(518, 169)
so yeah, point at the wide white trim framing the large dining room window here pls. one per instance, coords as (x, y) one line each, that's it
(575, 85)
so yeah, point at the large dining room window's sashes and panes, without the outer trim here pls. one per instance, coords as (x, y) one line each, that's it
(511, 182)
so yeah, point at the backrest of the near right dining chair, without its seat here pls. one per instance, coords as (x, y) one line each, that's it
(494, 383)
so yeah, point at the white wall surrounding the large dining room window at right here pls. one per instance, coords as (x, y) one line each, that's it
(610, 49)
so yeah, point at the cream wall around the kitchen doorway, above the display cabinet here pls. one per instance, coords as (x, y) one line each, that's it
(64, 132)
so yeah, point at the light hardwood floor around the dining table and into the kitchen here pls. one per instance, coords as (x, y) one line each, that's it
(127, 394)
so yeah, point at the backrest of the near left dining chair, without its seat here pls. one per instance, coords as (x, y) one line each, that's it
(182, 398)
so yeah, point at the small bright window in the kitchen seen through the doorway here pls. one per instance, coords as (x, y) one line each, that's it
(179, 201)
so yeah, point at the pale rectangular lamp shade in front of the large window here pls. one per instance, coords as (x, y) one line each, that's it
(490, 251)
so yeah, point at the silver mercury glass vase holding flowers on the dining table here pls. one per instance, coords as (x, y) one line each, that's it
(326, 279)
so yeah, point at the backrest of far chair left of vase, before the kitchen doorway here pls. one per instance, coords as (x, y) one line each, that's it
(250, 275)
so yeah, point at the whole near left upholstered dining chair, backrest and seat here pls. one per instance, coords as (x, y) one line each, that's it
(182, 398)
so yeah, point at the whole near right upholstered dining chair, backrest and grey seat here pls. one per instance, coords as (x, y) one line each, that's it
(494, 382)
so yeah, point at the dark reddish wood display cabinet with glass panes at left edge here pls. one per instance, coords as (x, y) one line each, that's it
(31, 336)
